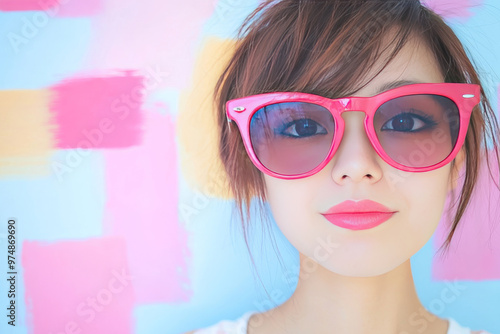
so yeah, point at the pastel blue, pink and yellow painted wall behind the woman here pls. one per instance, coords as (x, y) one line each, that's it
(124, 223)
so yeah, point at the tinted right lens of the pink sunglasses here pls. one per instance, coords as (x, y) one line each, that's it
(418, 130)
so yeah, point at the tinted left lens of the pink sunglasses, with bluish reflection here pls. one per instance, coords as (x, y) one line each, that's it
(292, 138)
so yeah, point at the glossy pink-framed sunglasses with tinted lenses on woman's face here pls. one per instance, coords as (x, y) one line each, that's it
(414, 128)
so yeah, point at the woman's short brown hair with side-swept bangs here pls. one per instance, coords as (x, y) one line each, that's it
(325, 47)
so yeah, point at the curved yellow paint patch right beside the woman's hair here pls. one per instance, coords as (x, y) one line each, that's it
(197, 128)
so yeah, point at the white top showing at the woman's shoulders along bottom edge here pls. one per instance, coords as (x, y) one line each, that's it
(239, 326)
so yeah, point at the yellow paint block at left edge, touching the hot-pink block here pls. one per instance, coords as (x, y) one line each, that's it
(26, 132)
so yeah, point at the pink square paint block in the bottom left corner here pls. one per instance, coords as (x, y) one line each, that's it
(75, 285)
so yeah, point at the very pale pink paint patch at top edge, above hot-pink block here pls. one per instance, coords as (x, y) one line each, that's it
(156, 35)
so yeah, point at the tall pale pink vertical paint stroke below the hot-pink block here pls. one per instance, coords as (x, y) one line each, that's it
(142, 190)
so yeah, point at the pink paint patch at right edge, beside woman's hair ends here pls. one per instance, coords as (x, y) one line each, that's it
(474, 252)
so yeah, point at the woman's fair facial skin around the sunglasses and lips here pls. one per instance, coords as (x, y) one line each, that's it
(355, 173)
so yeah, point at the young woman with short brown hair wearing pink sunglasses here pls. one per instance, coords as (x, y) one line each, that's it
(352, 120)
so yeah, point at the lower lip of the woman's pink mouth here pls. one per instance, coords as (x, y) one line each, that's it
(358, 220)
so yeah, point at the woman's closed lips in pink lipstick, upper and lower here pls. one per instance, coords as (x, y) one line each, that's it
(360, 215)
